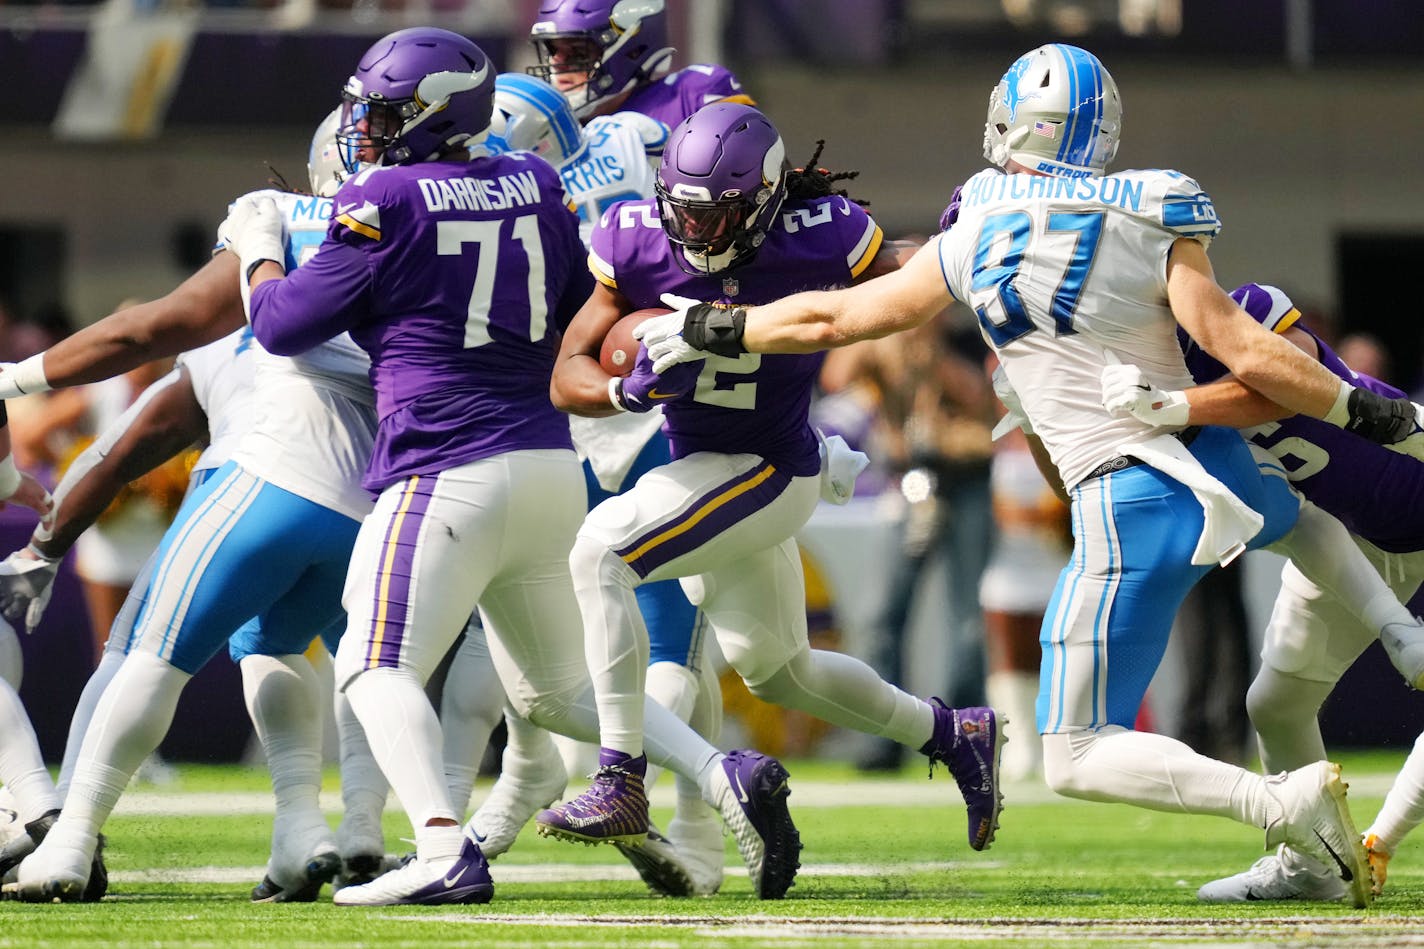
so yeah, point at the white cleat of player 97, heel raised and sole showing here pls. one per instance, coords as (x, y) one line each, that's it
(1316, 821)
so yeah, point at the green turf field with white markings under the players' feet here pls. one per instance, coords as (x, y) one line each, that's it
(886, 864)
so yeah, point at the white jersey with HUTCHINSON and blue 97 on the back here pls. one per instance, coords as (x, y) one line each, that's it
(1069, 276)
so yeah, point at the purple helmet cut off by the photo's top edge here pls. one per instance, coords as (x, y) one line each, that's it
(592, 51)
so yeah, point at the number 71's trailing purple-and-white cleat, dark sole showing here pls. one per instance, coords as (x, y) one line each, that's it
(751, 797)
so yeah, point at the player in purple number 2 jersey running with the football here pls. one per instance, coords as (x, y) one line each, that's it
(733, 224)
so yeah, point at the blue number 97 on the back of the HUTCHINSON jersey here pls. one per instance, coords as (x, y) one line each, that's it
(1000, 259)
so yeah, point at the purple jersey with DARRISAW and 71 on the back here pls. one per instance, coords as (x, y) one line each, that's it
(456, 279)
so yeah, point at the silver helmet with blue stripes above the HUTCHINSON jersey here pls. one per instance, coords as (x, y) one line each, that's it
(1057, 112)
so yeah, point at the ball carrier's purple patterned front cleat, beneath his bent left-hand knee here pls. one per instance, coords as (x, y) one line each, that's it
(614, 809)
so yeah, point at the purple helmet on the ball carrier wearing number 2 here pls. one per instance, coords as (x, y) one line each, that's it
(721, 186)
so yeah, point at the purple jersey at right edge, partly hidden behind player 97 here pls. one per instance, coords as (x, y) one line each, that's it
(1375, 492)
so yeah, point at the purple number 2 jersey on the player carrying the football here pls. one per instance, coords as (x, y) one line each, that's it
(755, 404)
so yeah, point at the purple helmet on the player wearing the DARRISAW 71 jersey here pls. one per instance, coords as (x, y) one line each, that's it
(415, 95)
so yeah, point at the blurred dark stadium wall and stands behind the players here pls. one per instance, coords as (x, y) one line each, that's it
(130, 126)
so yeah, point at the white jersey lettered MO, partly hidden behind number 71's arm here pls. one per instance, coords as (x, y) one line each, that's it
(314, 417)
